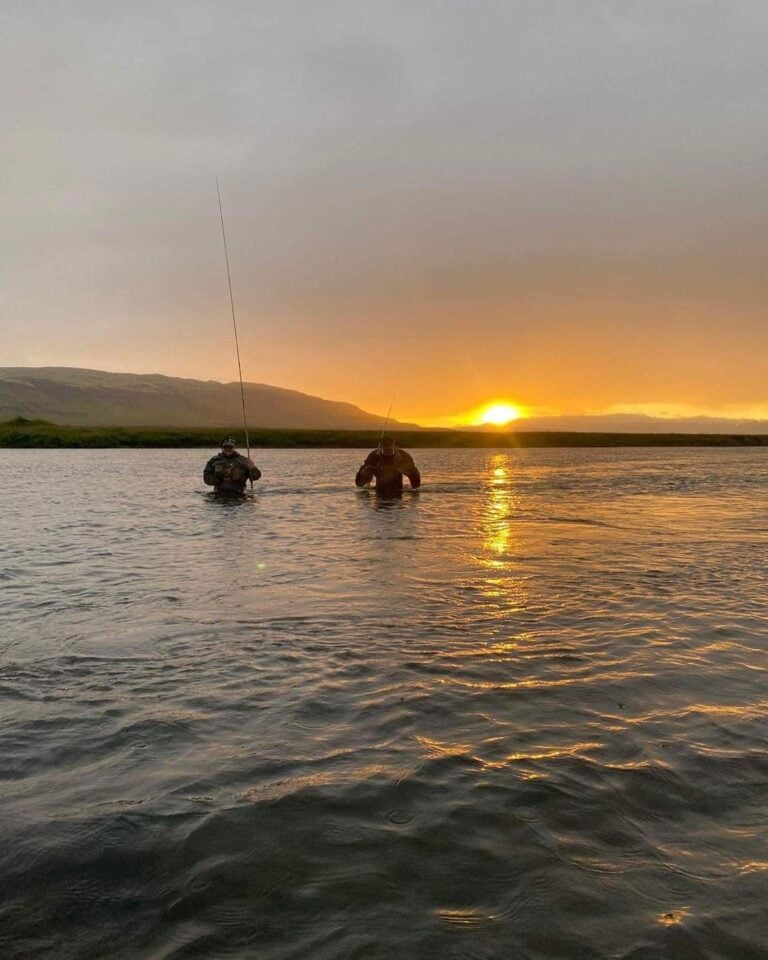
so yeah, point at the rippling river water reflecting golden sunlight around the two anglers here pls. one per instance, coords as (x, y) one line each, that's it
(522, 713)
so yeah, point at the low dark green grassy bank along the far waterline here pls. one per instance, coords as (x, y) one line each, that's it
(41, 433)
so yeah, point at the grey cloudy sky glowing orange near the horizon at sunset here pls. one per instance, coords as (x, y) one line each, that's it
(555, 202)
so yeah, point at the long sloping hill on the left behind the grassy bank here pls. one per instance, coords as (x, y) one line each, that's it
(79, 397)
